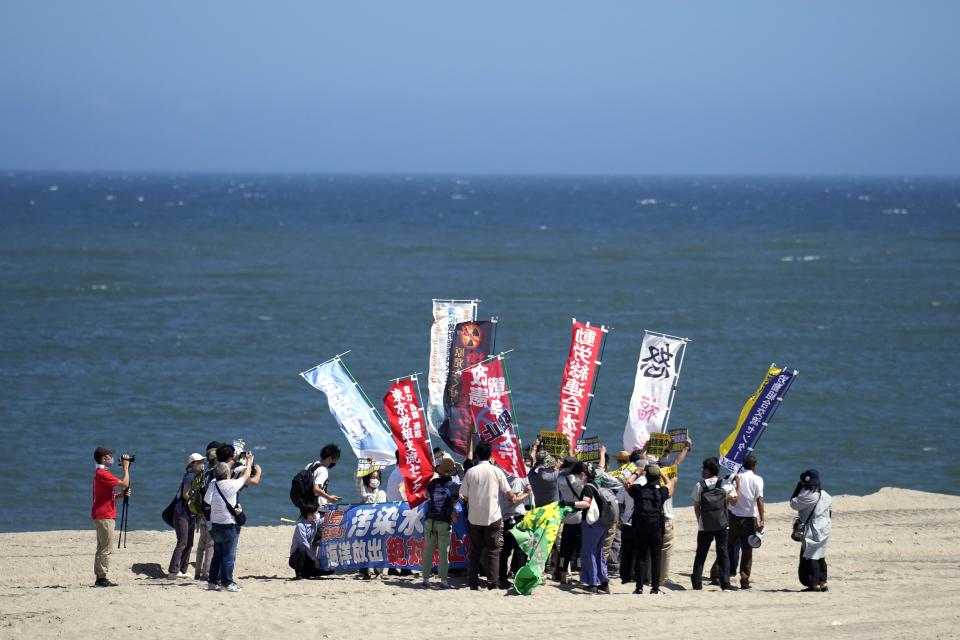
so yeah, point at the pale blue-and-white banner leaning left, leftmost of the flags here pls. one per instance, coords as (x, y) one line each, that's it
(363, 428)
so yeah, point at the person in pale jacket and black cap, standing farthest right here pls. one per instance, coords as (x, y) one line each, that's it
(814, 507)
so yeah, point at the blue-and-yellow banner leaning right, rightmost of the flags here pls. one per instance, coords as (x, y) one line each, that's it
(755, 416)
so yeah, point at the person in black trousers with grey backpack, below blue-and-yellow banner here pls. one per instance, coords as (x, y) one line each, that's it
(710, 503)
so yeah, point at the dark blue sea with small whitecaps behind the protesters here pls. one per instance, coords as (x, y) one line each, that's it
(154, 313)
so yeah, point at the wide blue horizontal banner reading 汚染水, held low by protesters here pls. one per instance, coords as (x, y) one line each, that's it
(385, 535)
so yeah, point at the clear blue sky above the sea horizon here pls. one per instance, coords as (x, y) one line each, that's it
(495, 87)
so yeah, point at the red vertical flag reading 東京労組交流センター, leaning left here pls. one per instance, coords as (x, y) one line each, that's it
(407, 427)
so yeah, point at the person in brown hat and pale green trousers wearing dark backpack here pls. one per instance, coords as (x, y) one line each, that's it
(441, 503)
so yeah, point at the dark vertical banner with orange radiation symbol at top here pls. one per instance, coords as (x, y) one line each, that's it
(472, 343)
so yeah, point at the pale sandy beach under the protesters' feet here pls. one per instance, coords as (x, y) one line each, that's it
(894, 572)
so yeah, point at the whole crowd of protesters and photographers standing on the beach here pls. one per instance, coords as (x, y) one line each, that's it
(619, 525)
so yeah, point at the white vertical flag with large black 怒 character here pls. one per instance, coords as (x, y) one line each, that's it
(657, 373)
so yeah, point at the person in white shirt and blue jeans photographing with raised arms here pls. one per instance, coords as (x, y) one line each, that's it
(224, 528)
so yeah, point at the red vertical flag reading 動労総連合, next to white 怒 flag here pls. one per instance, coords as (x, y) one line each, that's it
(579, 376)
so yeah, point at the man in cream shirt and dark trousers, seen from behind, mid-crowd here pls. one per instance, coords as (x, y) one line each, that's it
(482, 485)
